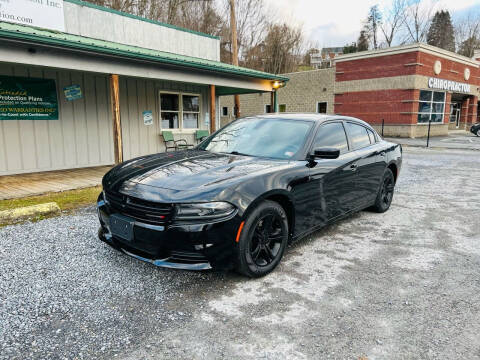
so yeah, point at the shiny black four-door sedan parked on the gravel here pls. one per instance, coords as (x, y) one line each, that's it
(238, 198)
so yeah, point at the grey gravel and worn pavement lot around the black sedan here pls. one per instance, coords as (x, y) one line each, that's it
(399, 285)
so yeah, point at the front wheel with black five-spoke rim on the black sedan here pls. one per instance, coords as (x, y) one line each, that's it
(261, 246)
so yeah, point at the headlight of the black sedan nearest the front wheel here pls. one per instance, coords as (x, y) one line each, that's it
(212, 210)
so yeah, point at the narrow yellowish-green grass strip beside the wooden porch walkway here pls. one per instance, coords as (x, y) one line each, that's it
(66, 200)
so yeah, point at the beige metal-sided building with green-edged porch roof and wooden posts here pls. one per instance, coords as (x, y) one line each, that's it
(82, 85)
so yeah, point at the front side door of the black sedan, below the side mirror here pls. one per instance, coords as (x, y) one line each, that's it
(334, 179)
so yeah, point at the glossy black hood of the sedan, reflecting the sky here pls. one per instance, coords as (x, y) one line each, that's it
(187, 170)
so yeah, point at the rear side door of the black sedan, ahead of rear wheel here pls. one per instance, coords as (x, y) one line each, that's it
(369, 168)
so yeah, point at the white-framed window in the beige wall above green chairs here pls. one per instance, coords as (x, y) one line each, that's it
(179, 111)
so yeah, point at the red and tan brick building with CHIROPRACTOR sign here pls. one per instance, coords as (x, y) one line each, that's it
(406, 87)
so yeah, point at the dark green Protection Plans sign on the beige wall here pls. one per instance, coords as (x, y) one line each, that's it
(28, 99)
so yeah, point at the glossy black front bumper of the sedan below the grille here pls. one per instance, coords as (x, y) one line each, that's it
(198, 246)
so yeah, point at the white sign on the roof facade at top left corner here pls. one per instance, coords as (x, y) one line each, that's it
(46, 14)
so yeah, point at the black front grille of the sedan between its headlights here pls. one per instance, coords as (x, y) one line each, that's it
(142, 210)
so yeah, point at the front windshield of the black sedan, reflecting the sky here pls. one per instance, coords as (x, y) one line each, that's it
(275, 138)
